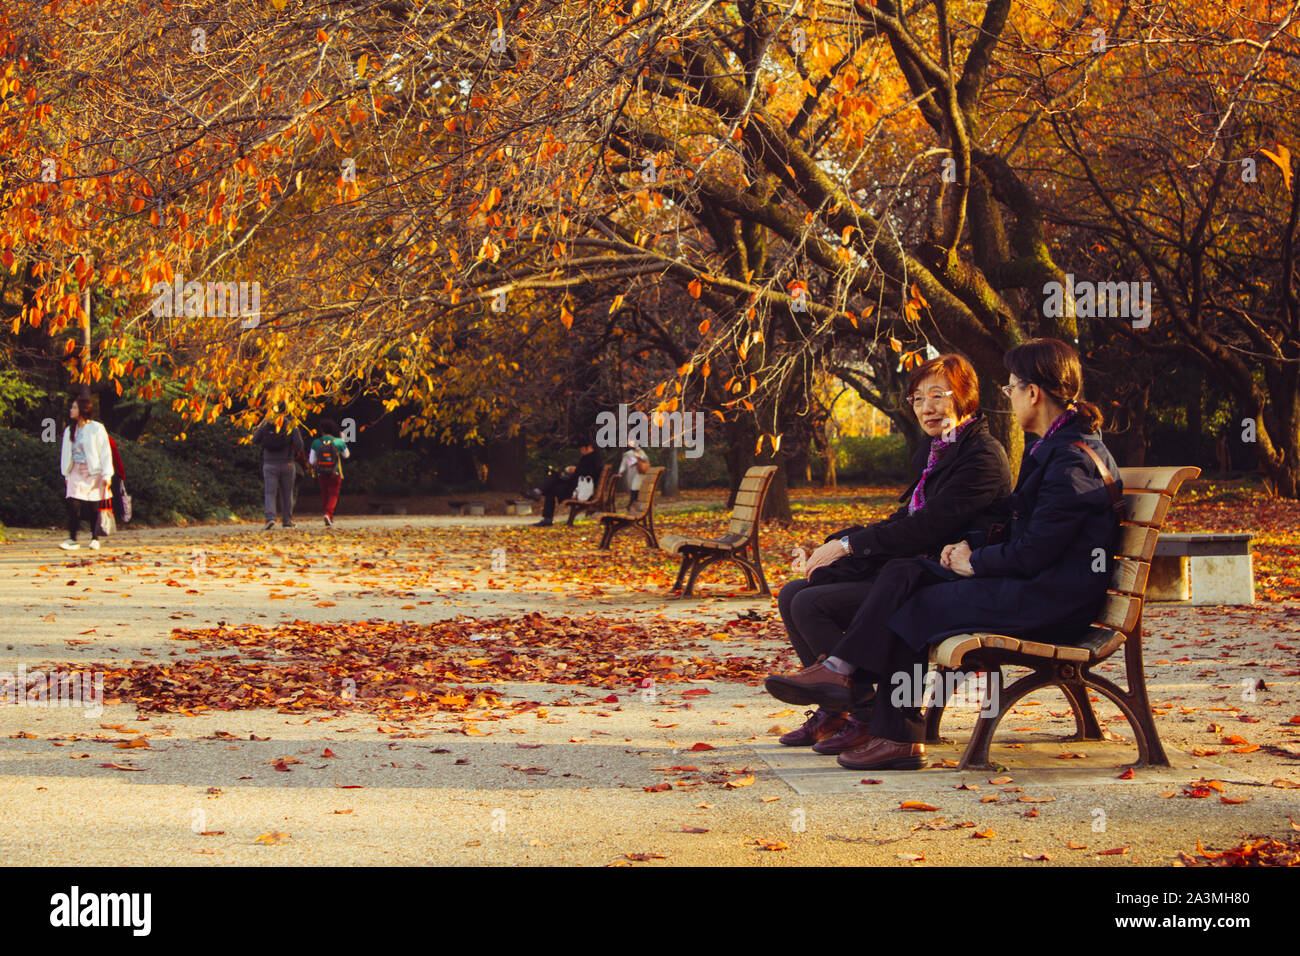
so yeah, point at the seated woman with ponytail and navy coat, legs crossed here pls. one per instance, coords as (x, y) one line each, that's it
(1043, 583)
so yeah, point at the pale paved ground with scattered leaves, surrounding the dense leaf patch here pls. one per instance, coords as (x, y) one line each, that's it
(579, 778)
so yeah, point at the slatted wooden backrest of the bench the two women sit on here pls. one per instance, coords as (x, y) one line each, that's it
(1149, 494)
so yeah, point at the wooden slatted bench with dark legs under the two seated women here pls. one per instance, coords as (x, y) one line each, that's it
(1149, 494)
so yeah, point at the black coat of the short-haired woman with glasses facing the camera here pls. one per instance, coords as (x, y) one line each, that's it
(961, 496)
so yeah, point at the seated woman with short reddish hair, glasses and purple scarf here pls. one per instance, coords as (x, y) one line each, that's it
(963, 474)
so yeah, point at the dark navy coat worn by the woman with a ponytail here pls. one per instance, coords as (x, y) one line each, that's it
(1048, 581)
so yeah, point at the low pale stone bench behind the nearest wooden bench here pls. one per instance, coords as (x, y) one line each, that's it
(1203, 570)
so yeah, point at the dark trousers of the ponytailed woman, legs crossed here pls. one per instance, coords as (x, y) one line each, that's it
(887, 660)
